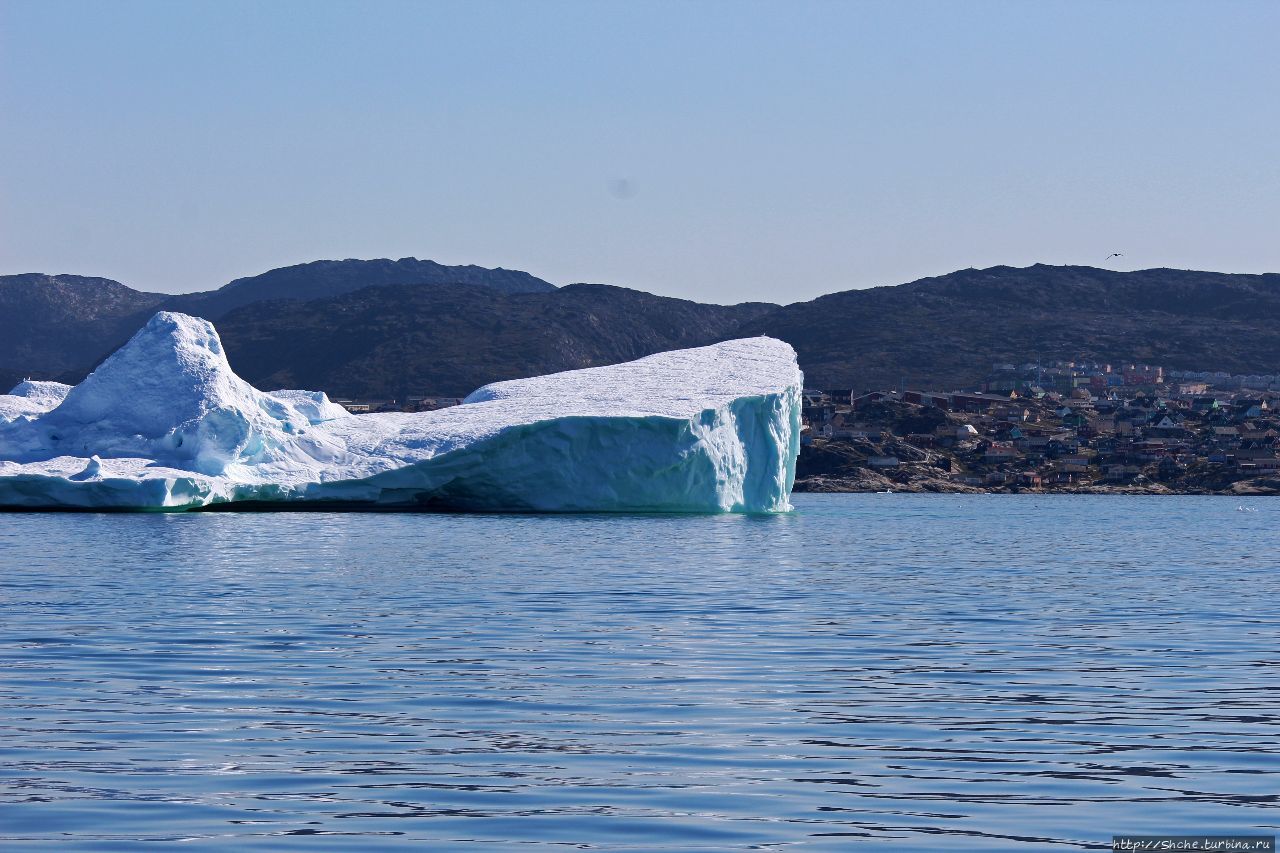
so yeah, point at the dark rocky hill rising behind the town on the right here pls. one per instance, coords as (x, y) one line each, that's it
(947, 332)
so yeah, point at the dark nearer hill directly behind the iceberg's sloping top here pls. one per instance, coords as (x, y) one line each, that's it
(450, 340)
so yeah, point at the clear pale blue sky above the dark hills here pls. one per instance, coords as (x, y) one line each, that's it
(720, 152)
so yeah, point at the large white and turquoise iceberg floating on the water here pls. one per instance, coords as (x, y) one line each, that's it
(166, 425)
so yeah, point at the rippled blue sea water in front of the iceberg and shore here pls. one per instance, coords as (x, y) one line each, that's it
(883, 672)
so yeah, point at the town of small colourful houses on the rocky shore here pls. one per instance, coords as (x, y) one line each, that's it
(1068, 425)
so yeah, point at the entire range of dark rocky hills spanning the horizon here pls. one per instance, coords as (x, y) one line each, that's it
(378, 329)
